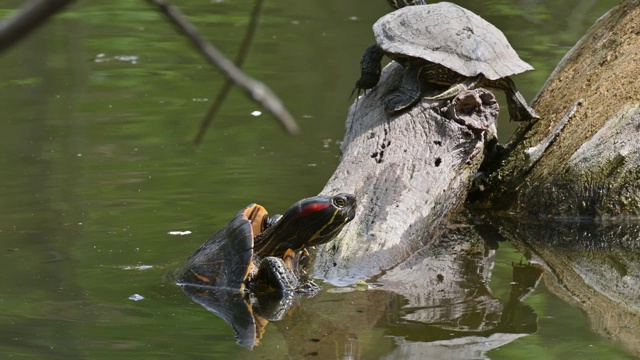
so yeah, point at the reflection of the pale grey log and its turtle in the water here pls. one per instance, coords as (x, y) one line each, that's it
(435, 303)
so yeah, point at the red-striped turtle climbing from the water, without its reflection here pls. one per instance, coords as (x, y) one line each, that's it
(252, 249)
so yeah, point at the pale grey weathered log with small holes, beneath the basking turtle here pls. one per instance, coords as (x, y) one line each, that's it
(407, 172)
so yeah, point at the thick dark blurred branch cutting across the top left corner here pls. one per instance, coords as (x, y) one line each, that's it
(33, 14)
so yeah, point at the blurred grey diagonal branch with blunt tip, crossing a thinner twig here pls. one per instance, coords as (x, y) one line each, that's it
(258, 91)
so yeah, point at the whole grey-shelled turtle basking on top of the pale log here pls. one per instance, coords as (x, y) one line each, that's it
(443, 44)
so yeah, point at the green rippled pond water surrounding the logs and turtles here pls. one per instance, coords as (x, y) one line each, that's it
(99, 108)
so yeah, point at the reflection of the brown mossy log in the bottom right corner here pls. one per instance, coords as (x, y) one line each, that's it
(593, 266)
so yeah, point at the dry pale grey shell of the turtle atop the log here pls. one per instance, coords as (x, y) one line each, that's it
(449, 35)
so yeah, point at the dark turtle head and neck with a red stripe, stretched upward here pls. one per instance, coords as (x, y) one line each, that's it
(309, 222)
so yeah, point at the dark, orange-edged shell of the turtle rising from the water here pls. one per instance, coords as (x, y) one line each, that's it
(224, 261)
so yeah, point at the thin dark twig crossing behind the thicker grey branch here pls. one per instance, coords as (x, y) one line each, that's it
(226, 87)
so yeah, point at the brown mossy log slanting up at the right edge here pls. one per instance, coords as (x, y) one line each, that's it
(583, 157)
